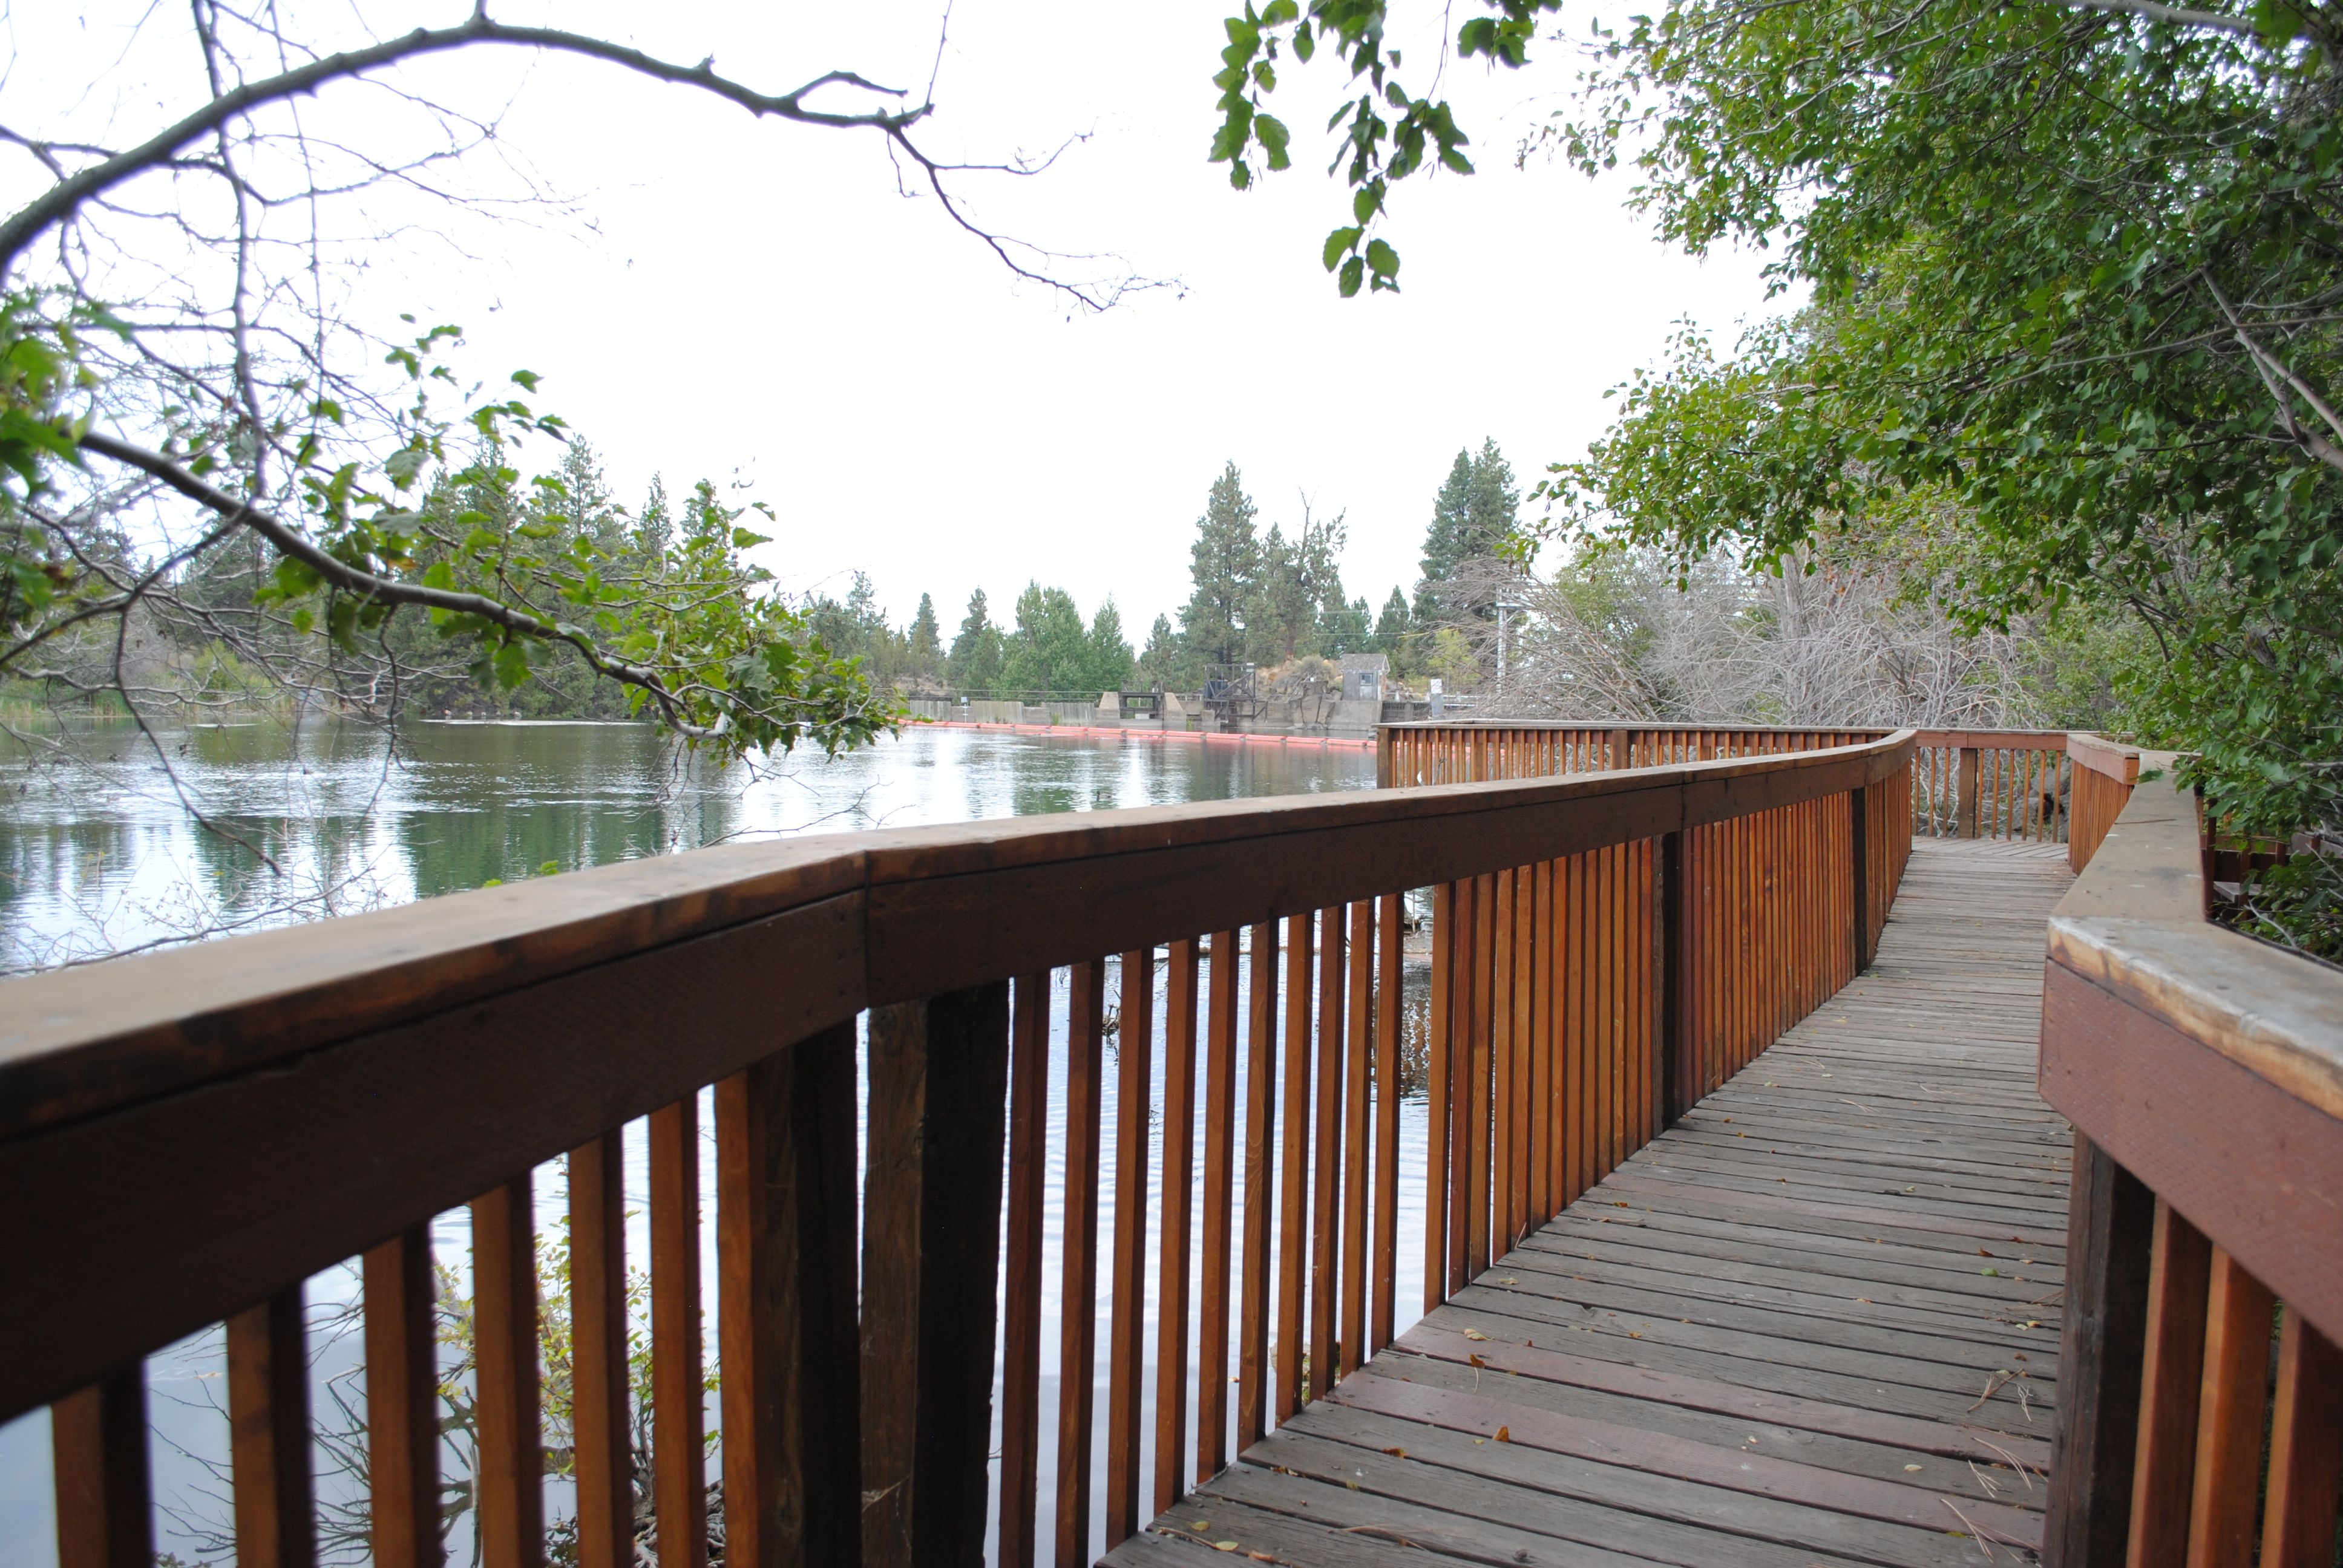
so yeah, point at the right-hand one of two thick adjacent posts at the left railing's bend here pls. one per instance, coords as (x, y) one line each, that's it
(931, 1264)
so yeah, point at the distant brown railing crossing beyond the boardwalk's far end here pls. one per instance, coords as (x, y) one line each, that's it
(1967, 784)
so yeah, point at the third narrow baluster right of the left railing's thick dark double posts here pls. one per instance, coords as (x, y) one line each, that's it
(1126, 1339)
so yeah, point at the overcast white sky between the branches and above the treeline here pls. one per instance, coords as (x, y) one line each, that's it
(760, 301)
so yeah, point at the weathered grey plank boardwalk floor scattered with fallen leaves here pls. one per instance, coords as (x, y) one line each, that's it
(1817, 1323)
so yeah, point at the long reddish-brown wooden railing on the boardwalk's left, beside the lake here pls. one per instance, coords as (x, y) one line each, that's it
(189, 1138)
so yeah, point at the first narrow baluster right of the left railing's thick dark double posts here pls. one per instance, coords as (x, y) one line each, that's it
(1020, 1269)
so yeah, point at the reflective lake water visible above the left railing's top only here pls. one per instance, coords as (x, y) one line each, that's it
(102, 847)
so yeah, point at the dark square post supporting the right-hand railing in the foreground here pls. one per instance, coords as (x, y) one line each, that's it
(2100, 1358)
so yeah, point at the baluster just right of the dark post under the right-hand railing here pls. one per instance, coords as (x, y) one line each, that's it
(2166, 1393)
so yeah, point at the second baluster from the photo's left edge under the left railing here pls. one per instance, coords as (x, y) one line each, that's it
(268, 1431)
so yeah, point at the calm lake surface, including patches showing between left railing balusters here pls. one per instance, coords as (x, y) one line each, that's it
(97, 854)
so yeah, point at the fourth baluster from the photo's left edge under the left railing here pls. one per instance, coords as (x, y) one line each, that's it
(512, 1475)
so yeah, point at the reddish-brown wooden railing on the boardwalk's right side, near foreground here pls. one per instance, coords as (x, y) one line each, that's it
(2204, 1075)
